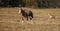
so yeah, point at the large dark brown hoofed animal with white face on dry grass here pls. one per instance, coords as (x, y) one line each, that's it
(26, 14)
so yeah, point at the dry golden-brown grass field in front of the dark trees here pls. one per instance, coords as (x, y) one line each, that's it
(10, 20)
